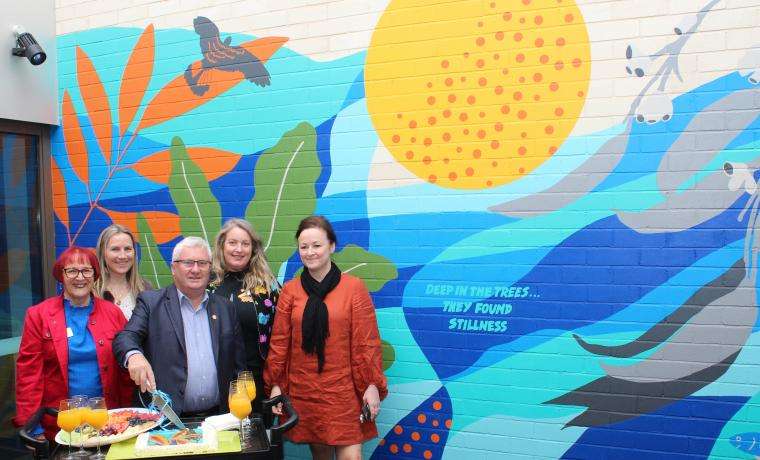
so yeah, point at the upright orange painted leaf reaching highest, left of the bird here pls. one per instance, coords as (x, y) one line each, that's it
(135, 79)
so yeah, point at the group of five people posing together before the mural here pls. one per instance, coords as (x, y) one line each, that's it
(111, 334)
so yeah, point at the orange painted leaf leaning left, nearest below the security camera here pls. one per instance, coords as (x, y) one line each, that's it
(96, 102)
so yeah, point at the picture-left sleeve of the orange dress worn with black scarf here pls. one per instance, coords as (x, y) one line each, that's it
(278, 359)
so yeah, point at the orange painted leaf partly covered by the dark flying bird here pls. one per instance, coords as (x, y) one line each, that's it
(176, 98)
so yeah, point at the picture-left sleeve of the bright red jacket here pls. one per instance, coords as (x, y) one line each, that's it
(29, 368)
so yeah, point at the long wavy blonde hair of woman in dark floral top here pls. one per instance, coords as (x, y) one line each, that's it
(258, 272)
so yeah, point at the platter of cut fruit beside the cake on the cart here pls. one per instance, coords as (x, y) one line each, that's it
(122, 424)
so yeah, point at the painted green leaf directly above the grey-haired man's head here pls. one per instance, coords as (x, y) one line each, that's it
(199, 211)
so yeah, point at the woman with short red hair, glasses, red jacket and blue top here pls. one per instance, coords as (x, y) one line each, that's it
(66, 345)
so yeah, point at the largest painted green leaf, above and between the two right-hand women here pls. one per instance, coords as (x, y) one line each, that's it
(285, 192)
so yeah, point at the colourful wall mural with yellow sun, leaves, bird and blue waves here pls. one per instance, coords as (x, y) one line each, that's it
(549, 283)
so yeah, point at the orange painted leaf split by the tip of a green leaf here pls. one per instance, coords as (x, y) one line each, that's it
(213, 162)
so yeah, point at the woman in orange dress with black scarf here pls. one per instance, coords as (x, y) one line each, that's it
(325, 350)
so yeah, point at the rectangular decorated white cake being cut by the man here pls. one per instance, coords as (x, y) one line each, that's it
(200, 440)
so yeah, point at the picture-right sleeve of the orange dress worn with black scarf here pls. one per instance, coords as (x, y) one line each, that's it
(366, 351)
